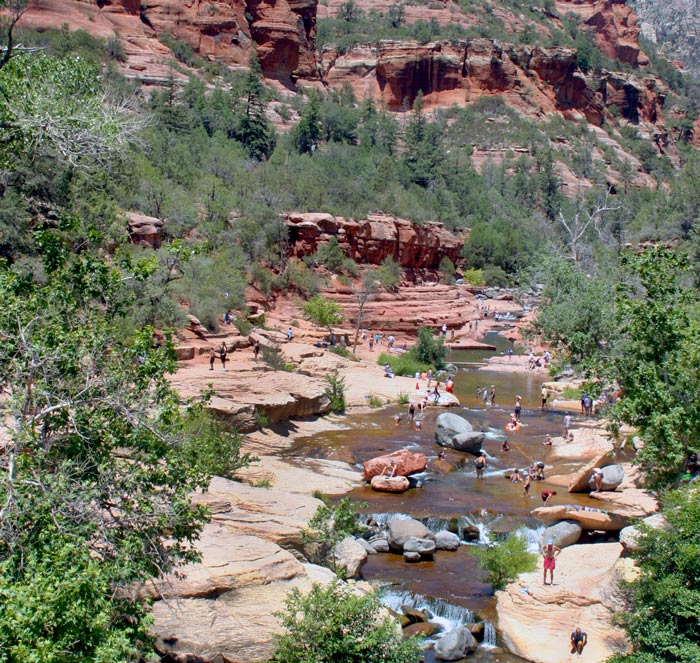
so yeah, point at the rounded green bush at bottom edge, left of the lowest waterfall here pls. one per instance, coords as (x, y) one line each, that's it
(336, 623)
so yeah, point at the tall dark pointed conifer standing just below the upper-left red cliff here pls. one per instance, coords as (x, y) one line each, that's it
(253, 129)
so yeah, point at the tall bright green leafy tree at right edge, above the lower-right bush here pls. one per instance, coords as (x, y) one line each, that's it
(657, 362)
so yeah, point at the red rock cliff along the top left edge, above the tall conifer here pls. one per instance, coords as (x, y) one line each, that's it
(283, 30)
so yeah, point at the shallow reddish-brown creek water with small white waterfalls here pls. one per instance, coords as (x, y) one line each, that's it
(452, 585)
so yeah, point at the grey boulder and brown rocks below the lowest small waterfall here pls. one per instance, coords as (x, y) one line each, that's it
(454, 645)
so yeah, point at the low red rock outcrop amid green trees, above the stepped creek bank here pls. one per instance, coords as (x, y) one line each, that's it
(372, 240)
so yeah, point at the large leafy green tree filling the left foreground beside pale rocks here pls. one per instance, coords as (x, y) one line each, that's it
(96, 482)
